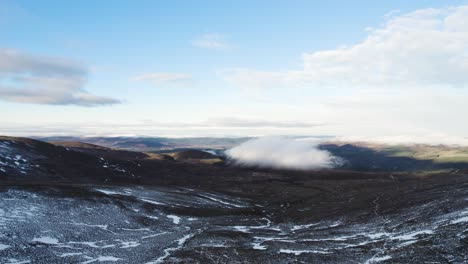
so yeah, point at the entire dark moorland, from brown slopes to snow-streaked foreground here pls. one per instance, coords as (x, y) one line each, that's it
(79, 203)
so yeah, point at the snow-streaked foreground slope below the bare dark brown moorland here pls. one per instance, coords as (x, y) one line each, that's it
(165, 225)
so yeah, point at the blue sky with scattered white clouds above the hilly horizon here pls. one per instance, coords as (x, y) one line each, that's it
(234, 68)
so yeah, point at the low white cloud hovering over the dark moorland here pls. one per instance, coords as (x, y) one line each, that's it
(282, 153)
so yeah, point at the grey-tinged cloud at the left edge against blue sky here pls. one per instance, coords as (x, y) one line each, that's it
(33, 79)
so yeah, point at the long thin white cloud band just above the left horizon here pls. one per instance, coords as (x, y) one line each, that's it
(216, 127)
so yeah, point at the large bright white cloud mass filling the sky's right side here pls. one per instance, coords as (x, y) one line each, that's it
(407, 77)
